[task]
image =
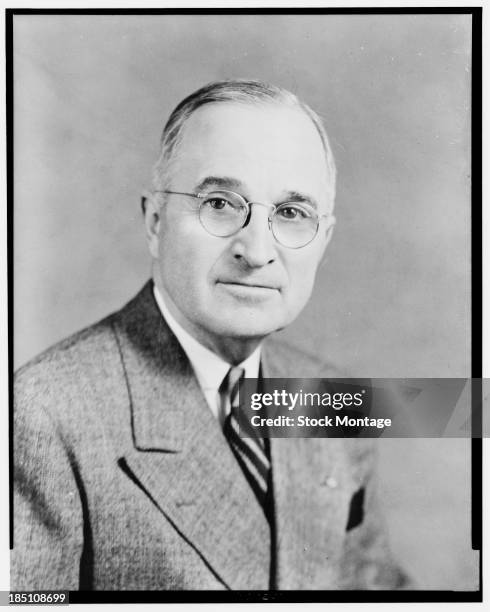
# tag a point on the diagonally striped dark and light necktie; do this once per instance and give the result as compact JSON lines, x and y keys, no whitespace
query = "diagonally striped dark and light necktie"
{"x":250,"y":452}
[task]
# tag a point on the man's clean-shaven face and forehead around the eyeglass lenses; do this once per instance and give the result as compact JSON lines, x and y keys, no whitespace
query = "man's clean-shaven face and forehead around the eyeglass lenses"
{"x":246,"y":285}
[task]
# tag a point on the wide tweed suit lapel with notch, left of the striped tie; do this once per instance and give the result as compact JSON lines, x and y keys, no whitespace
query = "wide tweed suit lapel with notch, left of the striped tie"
{"x":180,"y":456}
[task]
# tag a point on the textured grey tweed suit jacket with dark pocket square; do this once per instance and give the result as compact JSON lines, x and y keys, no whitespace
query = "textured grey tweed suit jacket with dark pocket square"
{"x":124,"y":480}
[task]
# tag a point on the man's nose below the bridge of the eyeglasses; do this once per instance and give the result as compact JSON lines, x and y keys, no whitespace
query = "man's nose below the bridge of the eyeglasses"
{"x":254,"y":243}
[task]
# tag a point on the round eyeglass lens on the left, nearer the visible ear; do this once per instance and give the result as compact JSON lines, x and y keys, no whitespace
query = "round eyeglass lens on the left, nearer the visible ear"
{"x":222,"y":213}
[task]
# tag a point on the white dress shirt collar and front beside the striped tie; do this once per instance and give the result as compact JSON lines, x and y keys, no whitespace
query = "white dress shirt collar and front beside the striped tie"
{"x":210,"y":369}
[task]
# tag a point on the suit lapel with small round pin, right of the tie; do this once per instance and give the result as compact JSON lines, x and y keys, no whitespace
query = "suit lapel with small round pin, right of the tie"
{"x":311,"y":489}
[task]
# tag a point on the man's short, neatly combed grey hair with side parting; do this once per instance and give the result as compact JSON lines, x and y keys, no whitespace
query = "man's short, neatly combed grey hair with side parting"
{"x":232,"y":90}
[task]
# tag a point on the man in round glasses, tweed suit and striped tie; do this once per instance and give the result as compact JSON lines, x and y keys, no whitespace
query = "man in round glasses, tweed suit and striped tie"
{"x":126,"y":470}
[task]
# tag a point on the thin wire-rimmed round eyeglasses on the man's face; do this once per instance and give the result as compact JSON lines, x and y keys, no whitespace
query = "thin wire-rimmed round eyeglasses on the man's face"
{"x":224,"y":213}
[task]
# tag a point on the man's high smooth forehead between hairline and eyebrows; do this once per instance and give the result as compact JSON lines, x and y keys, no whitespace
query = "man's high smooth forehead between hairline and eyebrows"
{"x":254,"y":143}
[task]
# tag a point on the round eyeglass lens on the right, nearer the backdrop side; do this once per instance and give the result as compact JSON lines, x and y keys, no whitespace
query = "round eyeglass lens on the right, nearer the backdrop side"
{"x":294,"y":225}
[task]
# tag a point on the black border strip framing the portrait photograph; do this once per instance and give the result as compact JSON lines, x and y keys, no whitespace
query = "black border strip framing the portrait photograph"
{"x":334,"y":596}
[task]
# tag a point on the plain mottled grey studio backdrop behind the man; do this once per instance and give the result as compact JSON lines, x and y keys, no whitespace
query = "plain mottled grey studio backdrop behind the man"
{"x":393,"y":297}
